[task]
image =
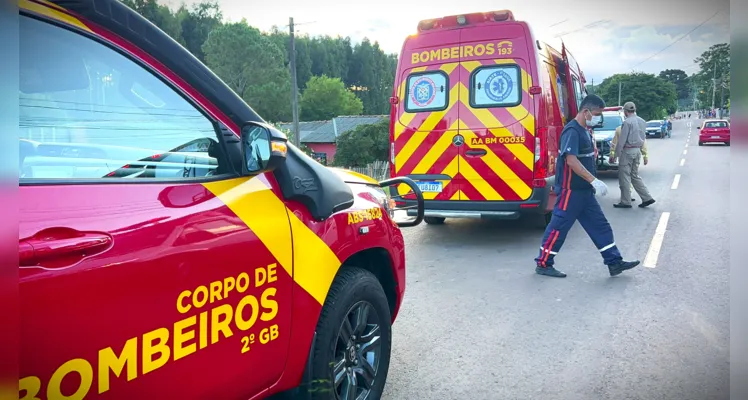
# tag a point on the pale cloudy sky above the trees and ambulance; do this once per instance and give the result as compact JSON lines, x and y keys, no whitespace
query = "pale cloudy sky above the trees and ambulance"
{"x":624,"y":36}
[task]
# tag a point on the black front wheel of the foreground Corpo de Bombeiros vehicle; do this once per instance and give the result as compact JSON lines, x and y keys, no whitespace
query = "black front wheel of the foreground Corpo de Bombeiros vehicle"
{"x":353,"y":290}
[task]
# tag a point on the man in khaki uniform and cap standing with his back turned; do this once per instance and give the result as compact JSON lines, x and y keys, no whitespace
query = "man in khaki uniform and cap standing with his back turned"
{"x":628,"y":150}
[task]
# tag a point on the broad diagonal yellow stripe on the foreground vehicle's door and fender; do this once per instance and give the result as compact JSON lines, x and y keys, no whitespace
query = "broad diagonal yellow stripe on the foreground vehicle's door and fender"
{"x":311,"y":262}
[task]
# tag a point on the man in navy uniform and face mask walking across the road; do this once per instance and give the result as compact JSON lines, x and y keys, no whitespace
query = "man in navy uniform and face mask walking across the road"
{"x":576,"y":187}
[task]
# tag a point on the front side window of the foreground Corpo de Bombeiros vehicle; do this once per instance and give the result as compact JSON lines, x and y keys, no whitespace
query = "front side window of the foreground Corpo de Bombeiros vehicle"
{"x":89,"y":112}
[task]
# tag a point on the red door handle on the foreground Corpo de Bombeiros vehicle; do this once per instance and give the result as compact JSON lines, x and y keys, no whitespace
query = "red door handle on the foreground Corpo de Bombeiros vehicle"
{"x":60,"y":247}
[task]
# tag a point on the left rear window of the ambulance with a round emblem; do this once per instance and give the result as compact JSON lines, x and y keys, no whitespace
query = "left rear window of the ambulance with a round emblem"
{"x":426,"y":92}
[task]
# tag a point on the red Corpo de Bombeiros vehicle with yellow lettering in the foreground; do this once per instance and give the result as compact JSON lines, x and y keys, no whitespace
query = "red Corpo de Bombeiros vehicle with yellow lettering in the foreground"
{"x":172,"y":245}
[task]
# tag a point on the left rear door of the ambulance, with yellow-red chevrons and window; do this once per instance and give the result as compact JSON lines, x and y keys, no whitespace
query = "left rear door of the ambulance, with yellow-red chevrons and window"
{"x":425,"y":126}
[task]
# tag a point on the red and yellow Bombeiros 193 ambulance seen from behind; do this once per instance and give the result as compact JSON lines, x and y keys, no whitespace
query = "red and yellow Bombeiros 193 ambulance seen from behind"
{"x":476,"y":116}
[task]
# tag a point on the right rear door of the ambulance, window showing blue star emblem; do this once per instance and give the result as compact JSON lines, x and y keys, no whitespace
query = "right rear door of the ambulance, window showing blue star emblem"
{"x":497,"y":113}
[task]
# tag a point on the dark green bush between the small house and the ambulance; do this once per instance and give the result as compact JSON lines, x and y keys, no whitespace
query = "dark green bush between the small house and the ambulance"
{"x":363,"y":145}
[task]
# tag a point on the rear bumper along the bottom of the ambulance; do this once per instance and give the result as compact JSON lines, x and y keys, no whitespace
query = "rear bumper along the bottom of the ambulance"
{"x":538,"y":203}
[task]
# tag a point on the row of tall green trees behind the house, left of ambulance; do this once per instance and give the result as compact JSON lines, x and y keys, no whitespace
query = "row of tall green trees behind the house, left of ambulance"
{"x":364,"y":68}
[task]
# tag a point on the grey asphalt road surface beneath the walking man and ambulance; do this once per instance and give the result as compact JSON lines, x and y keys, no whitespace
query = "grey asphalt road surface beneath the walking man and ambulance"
{"x":478,"y":323}
